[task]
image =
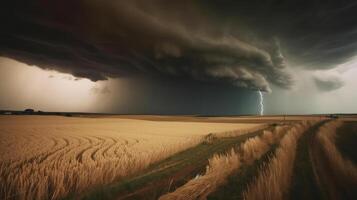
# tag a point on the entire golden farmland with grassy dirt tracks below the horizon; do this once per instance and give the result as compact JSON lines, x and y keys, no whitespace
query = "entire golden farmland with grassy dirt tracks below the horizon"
{"x":177,"y":157}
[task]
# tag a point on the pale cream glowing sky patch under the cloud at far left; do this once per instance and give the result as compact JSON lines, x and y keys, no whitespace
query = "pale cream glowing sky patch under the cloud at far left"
{"x":31,"y":87}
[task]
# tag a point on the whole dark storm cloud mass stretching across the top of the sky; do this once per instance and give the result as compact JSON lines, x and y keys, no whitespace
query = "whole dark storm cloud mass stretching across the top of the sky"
{"x":226,"y":41}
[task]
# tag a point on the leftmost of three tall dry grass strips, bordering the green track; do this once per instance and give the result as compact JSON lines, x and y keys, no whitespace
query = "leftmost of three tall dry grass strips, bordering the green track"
{"x":221,"y":166}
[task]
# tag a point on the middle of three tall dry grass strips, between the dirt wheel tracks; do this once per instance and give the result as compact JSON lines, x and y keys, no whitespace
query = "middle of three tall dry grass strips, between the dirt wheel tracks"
{"x":274,"y":179}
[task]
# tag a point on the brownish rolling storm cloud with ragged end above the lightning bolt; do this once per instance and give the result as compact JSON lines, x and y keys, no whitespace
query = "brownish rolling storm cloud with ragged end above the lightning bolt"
{"x":120,"y":38}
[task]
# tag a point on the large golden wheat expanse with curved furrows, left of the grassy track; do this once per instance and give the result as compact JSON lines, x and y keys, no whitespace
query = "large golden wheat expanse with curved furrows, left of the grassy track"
{"x":44,"y":157}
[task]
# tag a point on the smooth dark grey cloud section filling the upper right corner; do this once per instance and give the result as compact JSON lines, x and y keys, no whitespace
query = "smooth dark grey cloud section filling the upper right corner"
{"x":314,"y":34}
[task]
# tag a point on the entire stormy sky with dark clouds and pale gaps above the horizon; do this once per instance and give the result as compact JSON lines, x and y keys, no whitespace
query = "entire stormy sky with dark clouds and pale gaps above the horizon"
{"x":207,"y":57}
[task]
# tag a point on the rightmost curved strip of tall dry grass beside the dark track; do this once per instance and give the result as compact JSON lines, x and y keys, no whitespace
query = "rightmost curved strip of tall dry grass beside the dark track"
{"x":346,"y":170}
